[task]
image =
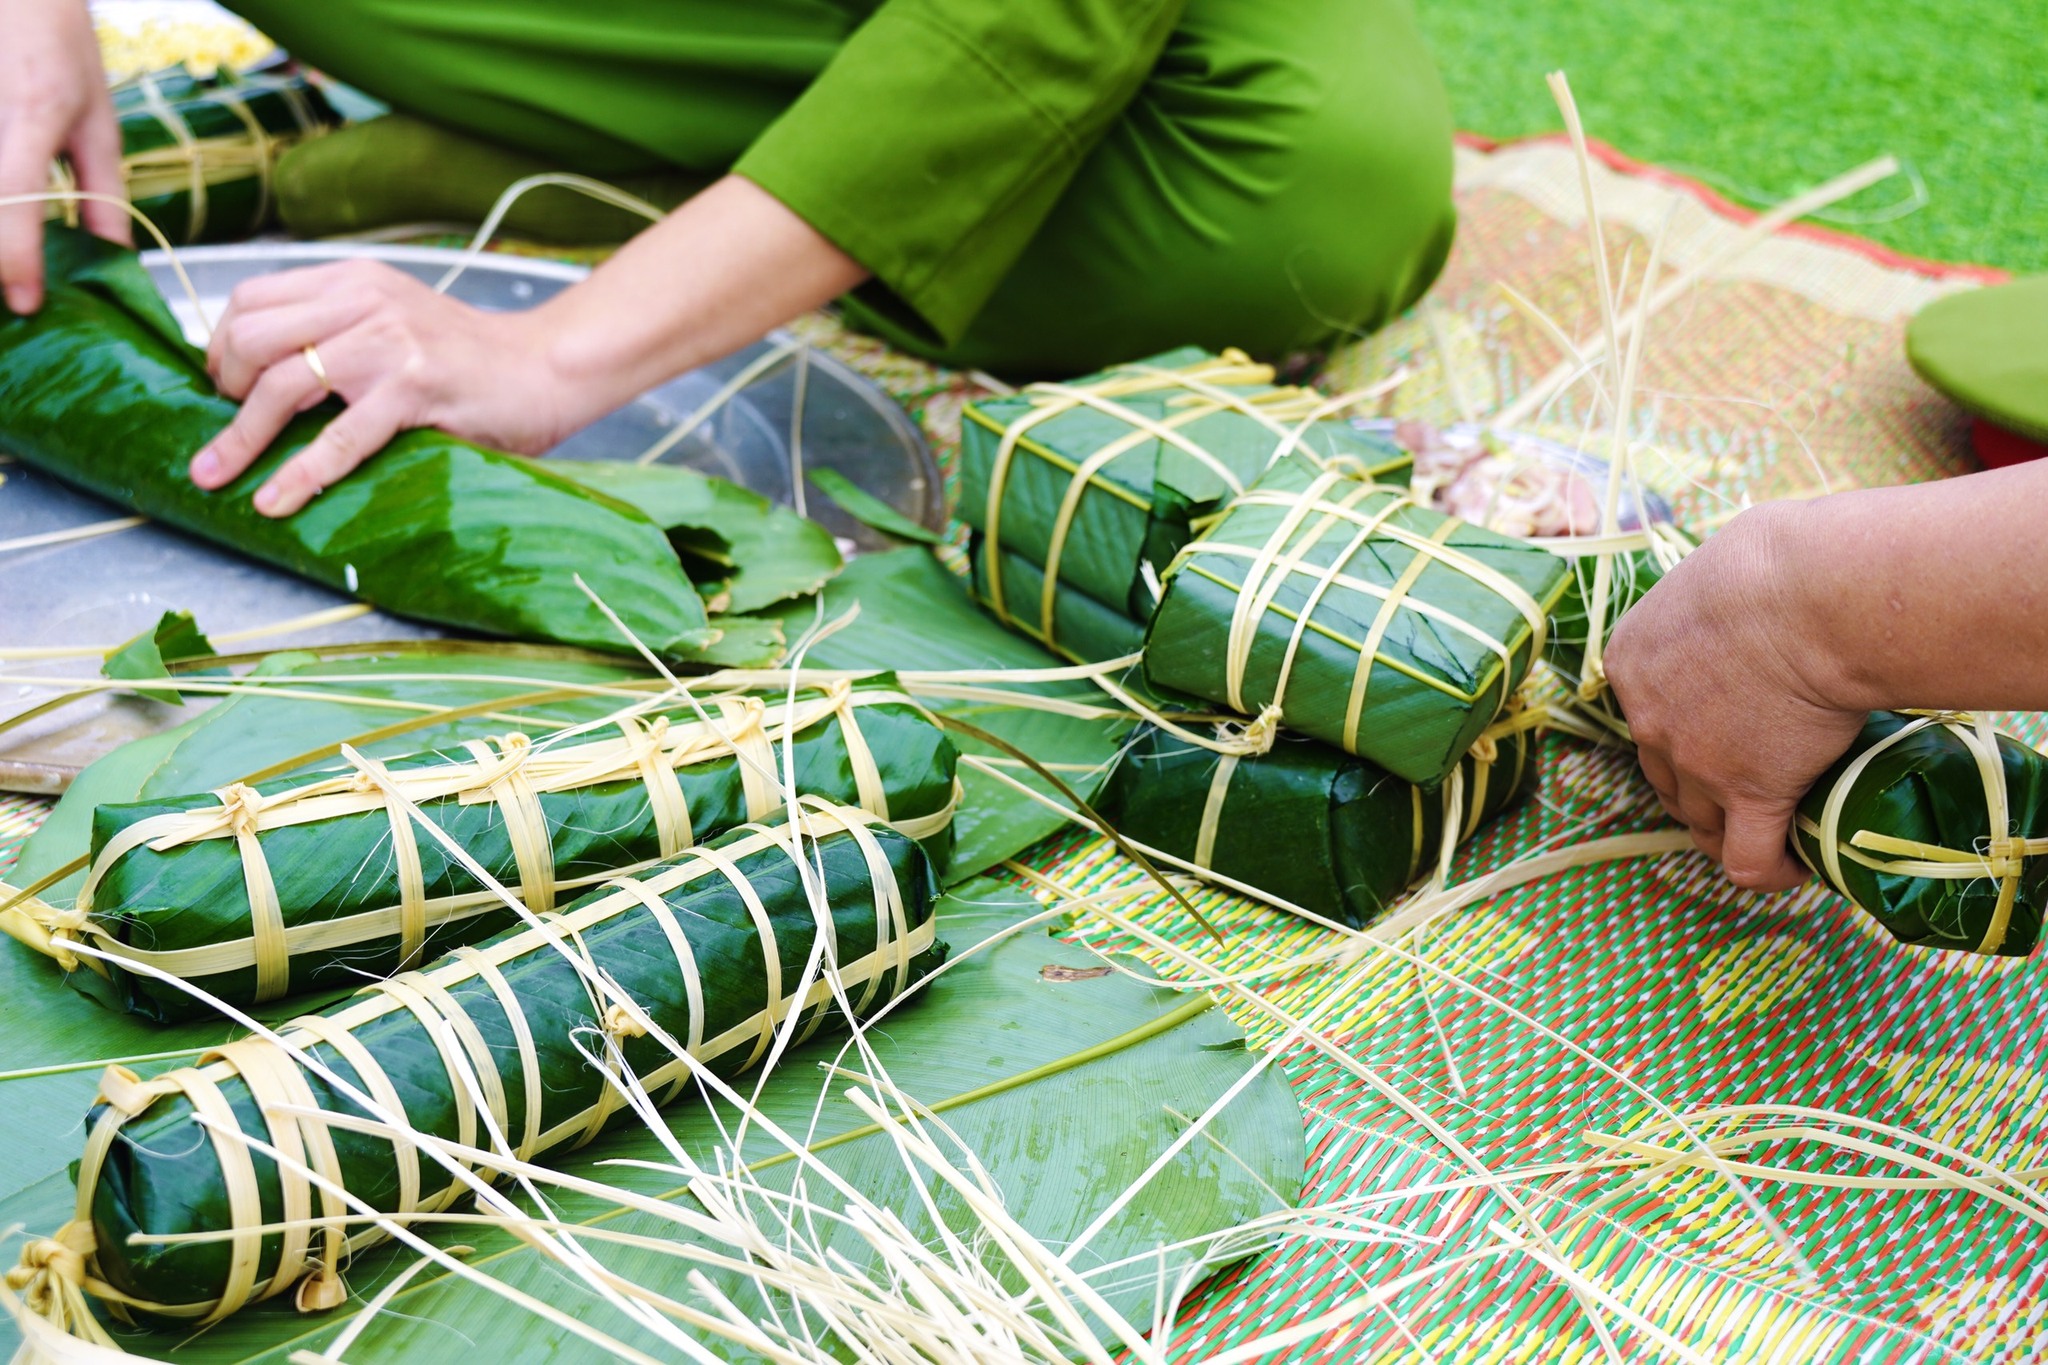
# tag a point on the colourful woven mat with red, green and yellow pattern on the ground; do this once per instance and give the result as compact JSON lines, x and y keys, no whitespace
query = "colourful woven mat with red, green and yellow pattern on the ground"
{"x":1875,"y":1102}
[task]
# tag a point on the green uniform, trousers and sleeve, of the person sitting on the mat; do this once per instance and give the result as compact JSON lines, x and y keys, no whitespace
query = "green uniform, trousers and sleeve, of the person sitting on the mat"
{"x":1039,"y":187}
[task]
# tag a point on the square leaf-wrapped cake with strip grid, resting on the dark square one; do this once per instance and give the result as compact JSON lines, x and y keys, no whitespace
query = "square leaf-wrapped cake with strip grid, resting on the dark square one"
{"x":1373,"y":623}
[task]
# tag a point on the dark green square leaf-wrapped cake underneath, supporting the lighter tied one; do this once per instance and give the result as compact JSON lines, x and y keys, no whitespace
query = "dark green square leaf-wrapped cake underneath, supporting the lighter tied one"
{"x":1308,"y":824}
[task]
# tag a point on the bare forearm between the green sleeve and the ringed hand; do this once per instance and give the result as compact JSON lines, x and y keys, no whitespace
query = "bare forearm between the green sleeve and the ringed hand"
{"x":716,"y":275}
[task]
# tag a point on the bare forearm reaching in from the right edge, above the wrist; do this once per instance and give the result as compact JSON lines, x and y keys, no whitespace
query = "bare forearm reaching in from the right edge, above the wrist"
{"x":1928,"y":597}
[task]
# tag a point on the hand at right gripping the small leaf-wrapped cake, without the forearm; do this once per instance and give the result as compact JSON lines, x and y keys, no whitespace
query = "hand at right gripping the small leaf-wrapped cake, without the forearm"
{"x":1732,"y":699}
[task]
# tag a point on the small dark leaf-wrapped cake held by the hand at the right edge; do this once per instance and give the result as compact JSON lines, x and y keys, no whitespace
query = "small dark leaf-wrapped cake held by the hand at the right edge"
{"x":1936,"y":828}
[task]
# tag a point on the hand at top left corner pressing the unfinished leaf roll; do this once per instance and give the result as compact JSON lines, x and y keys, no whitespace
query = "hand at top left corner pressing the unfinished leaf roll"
{"x":52,"y":99}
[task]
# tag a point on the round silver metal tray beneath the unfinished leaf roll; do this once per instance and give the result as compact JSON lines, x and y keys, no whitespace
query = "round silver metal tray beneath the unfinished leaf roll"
{"x":105,"y":590}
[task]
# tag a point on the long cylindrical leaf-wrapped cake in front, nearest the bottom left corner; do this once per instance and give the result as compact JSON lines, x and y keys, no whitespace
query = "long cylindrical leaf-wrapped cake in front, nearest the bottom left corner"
{"x":519,"y":1041}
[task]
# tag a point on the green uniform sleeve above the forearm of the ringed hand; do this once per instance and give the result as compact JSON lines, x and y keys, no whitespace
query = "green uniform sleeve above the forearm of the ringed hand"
{"x":943,"y":132}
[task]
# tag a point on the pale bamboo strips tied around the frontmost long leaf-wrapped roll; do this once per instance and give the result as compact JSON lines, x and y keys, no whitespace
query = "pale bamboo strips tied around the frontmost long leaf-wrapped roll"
{"x":56,"y":1274}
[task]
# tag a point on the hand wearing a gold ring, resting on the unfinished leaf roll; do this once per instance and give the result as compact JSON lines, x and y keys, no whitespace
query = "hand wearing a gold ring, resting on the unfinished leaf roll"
{"x":394,"y":351}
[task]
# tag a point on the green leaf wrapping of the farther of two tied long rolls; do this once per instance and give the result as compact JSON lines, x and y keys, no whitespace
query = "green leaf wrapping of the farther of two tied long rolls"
{"x":175,"y":906}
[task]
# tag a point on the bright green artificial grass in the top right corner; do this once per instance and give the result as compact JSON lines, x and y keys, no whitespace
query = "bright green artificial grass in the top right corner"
{"x":1766,"y":99}
